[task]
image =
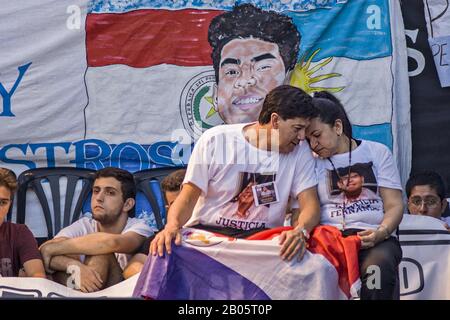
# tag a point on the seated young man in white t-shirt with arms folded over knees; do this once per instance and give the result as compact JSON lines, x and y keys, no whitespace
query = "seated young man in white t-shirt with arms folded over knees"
{"x":105,"y":242}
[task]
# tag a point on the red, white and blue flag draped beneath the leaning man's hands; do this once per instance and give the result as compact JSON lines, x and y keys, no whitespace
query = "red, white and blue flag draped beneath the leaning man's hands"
{"x":210,"y":266}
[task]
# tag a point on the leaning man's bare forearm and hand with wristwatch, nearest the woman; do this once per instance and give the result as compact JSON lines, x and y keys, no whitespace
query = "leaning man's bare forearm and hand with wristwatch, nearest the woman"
{"x":307,"y":217}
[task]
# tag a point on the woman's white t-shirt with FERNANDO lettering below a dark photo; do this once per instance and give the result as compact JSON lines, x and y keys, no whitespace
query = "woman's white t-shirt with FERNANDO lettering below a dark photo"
{"x":365,"y":212}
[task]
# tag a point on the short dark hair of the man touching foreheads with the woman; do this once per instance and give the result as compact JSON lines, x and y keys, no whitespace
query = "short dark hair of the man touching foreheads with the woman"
{"x":288,"y":102}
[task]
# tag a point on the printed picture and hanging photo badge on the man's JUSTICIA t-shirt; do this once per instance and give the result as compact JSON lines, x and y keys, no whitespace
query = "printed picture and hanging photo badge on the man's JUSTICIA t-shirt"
{"x":254,"y":194}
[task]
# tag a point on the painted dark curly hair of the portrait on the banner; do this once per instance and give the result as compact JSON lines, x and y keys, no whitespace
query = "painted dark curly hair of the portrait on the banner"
{"x":248,"y":21}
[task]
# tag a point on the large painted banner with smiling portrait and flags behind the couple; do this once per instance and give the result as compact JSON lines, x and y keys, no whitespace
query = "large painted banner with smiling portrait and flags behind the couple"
{"x":133,"y":84}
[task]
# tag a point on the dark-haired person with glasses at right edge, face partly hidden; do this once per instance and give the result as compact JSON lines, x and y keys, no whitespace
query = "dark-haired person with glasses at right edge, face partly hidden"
{"x":426,"y":196}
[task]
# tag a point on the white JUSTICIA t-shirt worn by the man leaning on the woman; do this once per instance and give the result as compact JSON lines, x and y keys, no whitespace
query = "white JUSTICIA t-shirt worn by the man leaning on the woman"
{"x":224,"y":163}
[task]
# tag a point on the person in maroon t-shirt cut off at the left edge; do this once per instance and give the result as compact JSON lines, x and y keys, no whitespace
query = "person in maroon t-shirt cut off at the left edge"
{"x":19,"y":254}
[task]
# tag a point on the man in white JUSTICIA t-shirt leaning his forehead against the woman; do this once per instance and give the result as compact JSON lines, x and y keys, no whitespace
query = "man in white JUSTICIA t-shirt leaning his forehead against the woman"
{"x":230,"y":163}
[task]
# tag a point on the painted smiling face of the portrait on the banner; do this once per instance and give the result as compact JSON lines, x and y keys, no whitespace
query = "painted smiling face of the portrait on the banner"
{"x":249,"y":69}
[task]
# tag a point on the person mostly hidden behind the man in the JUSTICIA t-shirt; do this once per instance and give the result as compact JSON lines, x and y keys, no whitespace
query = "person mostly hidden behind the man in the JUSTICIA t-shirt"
{"x":170,"y":186}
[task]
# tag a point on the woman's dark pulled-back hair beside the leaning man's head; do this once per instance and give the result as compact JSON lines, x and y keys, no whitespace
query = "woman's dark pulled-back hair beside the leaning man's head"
{"x":330,"y":109}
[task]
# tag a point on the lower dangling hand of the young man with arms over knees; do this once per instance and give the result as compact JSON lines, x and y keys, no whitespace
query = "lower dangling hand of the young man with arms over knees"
{"x":85,"y":278}
